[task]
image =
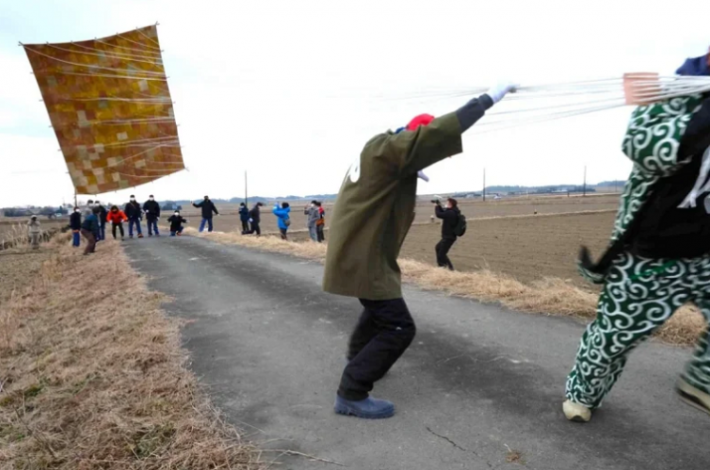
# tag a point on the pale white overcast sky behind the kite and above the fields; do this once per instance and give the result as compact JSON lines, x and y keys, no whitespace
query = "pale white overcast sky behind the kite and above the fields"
{"x":291,"y":90}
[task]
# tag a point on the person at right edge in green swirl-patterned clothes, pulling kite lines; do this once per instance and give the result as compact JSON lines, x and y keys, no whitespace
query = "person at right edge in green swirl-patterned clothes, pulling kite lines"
{"x":659,"y":256}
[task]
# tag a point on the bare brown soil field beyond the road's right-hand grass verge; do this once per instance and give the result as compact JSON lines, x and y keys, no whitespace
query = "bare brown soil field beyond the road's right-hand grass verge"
{"x":504,"y":235}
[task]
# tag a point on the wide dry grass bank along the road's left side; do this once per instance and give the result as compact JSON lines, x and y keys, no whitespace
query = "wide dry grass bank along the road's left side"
{"x":92,"y":375}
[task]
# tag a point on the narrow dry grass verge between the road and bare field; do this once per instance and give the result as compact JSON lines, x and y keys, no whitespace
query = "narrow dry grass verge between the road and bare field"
{"x":549,"y":296}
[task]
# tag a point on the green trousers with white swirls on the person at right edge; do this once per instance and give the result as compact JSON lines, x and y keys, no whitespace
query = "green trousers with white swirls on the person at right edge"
{"x":639,"y":296}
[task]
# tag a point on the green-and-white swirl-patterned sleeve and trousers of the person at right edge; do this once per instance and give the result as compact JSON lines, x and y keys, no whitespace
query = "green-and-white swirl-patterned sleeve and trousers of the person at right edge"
{"x":641,"y":294}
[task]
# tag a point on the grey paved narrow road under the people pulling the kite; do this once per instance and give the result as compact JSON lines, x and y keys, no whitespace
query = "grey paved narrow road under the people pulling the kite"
{"x":478,"y":381}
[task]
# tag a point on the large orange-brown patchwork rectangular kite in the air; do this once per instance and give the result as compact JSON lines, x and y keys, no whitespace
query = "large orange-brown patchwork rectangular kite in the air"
{"x":110,"y":107}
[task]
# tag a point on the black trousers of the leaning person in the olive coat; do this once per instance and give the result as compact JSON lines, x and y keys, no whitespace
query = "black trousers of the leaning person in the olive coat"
{"x":385,"y":330}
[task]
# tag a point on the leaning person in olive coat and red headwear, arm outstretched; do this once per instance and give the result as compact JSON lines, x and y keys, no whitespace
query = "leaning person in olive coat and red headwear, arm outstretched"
{"x":371,"y":218}
